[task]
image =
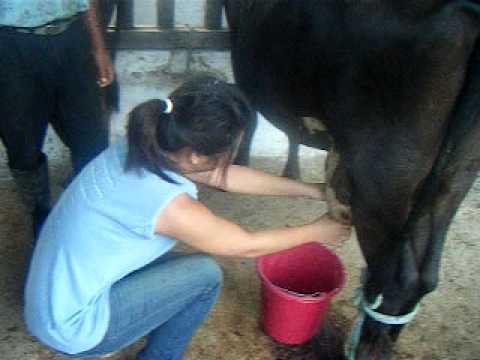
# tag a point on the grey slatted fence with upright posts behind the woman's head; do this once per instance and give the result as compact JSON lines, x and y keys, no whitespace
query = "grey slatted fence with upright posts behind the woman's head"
{"x":165,"y":35}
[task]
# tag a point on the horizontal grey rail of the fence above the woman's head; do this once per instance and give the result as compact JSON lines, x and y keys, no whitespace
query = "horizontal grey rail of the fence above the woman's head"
{"x":153,"y":38}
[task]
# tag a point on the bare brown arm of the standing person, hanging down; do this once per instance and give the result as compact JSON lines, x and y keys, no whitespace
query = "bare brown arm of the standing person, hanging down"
{"x":102,"y":58}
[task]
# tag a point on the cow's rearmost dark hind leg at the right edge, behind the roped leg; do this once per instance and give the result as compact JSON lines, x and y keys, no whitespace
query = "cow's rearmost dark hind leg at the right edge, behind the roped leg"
{"x":453,"y":175}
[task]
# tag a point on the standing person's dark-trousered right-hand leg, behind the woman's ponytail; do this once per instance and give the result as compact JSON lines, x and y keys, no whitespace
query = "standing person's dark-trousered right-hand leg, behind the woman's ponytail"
{"x":80,"y":120}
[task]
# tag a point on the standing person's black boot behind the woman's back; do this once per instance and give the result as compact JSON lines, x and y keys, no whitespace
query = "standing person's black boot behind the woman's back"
{"x":34,"y":188}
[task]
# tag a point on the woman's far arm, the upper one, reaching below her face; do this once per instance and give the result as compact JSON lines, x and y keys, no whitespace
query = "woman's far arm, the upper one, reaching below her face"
{"x":242,"y":179}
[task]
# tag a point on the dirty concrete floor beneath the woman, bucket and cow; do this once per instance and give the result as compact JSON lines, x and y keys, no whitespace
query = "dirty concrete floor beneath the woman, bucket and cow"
{"x":447,"y":327}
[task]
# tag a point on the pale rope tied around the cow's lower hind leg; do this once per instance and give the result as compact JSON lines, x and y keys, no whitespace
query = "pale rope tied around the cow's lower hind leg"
{"x":367,"y":308}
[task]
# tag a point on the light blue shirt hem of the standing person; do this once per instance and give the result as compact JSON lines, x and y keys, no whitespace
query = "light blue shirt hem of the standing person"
{"x":33,"y":13}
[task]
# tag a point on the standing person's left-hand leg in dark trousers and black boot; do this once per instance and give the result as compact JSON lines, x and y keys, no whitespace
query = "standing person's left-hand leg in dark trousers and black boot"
{"x":24,"y":104}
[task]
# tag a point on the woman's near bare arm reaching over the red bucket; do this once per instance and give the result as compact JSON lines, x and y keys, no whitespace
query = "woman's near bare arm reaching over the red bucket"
{"x":190,"y":221}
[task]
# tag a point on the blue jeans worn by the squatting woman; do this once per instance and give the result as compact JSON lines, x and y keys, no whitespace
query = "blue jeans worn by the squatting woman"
{"x":166,"y":300}
